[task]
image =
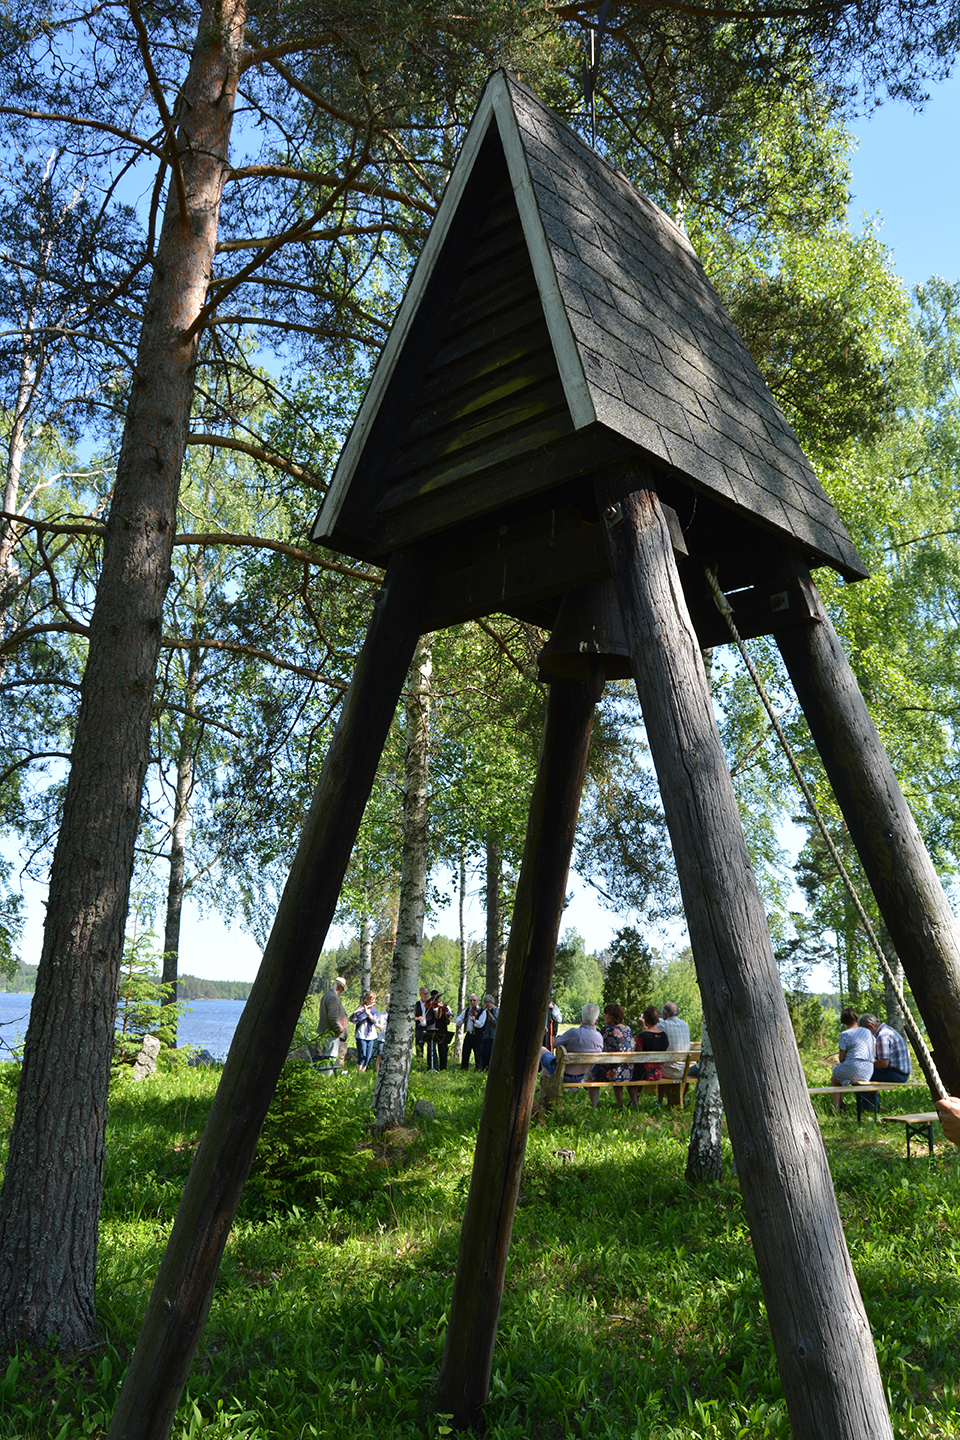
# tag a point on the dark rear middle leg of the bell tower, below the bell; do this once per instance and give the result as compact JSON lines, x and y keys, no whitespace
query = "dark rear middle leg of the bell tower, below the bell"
{"x":471,"y":1333}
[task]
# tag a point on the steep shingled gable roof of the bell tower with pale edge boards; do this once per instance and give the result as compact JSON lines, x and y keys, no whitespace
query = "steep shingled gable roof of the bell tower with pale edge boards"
{"x":638,"y":351}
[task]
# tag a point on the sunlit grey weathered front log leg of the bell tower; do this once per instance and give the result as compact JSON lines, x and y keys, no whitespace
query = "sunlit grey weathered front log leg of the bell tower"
{"x":823,"y":1340}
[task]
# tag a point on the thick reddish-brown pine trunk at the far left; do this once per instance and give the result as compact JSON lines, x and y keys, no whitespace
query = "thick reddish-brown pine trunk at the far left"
{"x":53,"y":1186}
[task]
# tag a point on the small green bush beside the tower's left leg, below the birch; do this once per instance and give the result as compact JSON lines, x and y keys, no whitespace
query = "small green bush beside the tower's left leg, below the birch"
{"x":310,"y":1147}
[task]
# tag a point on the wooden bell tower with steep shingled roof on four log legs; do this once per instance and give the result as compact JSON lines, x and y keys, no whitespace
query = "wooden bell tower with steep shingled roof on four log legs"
{"x":563,"y":402}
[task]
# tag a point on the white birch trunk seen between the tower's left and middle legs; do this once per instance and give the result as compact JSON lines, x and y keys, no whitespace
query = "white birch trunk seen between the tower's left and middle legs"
{"x":394,"y":1078}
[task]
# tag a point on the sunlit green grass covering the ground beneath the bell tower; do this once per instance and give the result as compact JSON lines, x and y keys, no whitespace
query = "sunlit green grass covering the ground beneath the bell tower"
{"x":633,"y":1308}
